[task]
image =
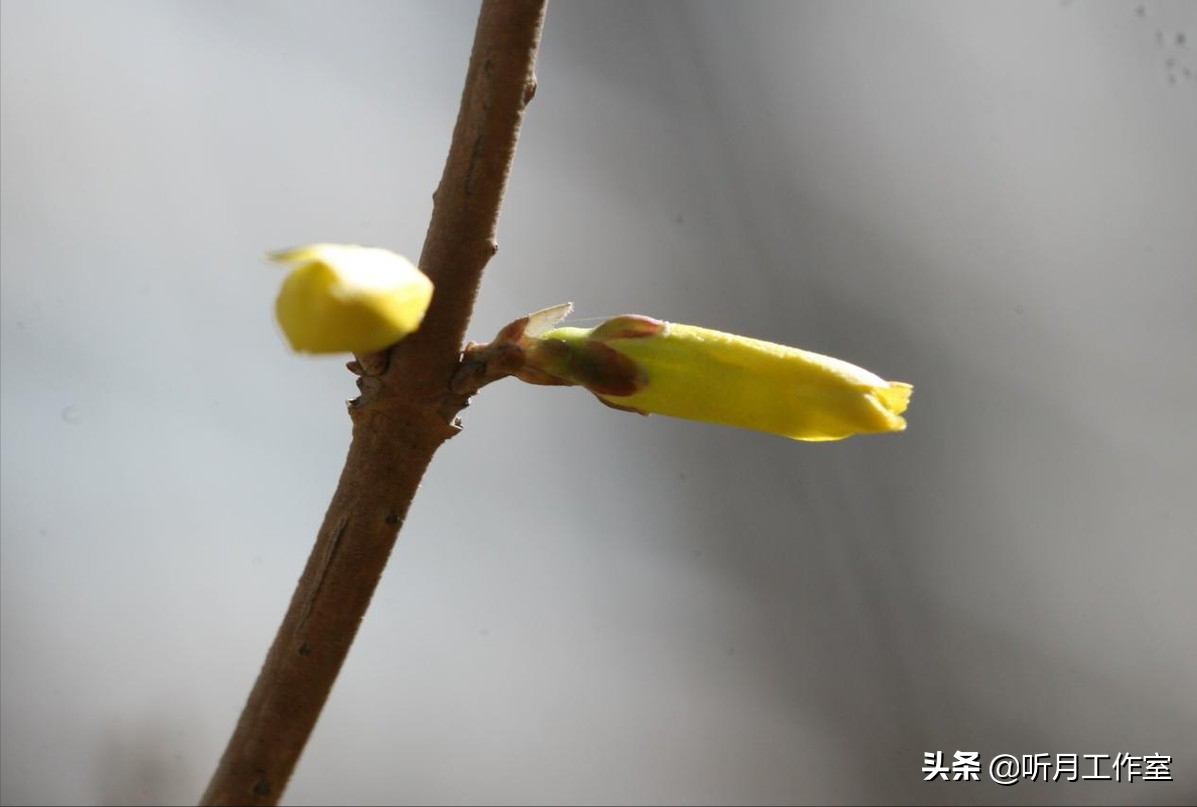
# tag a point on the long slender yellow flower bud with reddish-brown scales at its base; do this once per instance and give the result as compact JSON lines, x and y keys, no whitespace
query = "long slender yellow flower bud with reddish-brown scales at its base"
{"x":652,"y":367}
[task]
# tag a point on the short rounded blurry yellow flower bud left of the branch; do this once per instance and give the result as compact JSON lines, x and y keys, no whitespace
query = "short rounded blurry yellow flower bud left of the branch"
{"x":343,"y":299}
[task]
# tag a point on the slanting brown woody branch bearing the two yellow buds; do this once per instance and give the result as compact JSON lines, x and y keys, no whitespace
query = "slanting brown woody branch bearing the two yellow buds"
{"x":405,"y":412}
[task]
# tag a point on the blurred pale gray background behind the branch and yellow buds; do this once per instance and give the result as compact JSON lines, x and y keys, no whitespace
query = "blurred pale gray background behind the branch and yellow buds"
{"x":995,"y":202}
